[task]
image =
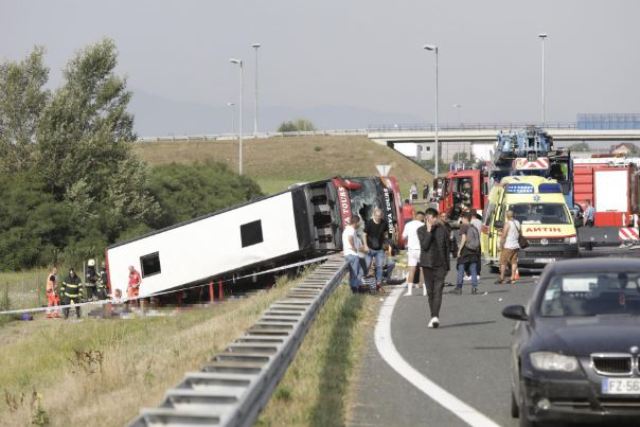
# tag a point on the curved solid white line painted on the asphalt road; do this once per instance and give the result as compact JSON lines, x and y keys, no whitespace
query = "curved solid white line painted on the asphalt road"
{"x":390,"y":354}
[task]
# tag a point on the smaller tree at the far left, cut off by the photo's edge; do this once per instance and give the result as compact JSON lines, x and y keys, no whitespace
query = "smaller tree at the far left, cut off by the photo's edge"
{"x":22,"y":99}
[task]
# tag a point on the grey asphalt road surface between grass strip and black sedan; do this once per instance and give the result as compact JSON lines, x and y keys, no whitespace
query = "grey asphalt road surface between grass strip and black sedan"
{"x":468,"y":356}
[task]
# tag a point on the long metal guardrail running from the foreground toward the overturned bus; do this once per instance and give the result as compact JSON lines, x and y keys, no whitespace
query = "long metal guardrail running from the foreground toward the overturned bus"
{"x":233,"y":387}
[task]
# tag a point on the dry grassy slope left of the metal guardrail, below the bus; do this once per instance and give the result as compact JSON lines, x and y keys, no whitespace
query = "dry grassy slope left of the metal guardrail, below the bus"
{"x":100,"y":372}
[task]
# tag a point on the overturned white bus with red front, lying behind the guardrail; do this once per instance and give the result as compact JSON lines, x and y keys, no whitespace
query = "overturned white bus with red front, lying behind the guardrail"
{"x":302,"y":222}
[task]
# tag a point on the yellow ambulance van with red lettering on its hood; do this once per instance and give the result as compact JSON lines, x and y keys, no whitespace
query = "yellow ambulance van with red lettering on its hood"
{"x":546,"y":222}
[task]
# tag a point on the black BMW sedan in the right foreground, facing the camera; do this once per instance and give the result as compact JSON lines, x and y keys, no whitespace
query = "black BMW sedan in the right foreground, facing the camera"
{"x":576,"y":349}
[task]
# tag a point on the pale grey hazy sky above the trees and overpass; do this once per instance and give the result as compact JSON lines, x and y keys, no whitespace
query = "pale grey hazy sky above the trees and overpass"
{"x":364,"y":53}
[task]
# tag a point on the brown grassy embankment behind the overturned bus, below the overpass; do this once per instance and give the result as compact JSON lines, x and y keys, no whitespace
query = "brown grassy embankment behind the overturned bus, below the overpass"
{"x":278,"y":162}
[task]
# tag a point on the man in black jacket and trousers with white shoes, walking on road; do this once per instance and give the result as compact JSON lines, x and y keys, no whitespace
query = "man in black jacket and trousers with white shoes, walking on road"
{"x":434,"y":259}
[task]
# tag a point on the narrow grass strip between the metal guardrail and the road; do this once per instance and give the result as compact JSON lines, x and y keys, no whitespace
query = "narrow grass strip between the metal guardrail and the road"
{"x":317,"y":388}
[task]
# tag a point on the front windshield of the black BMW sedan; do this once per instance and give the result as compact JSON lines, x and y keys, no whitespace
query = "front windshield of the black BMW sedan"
{"x":592,"y":294}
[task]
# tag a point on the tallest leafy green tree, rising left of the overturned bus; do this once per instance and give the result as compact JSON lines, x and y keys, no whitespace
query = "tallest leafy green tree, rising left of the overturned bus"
{"x":84,"y":145}
